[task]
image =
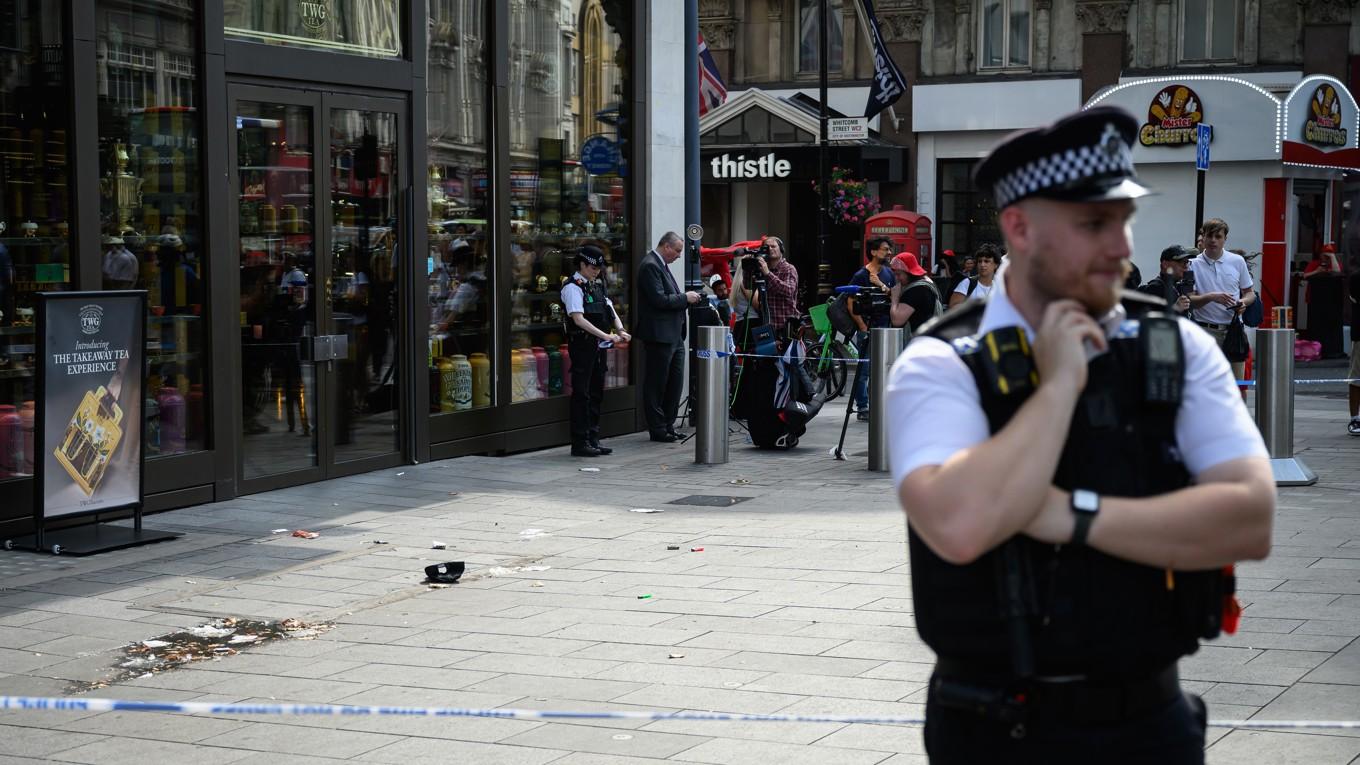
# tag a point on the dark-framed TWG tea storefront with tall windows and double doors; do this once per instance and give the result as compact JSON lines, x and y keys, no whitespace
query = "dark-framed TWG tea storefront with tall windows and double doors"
{"x":352,"y":220}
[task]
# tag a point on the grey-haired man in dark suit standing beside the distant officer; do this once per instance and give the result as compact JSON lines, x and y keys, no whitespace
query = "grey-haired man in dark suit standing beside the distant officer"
{"x":662,"y":327}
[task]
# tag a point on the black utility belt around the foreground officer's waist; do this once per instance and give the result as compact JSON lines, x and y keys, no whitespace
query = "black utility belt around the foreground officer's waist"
{"x":1072,"y":700}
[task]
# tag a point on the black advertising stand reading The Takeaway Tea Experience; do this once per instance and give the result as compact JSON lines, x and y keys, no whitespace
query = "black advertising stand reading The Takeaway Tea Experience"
{"x":89,"y":423}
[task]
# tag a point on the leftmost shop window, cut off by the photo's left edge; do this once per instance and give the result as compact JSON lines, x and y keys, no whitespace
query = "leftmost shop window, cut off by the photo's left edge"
{"x":35,"y":206}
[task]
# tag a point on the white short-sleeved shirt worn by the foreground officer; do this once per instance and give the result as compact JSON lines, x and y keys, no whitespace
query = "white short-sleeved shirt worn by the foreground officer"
{"x":936,"y":410}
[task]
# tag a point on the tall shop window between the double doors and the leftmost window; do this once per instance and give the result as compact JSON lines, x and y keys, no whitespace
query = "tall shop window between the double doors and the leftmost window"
{"x":150,"y":205}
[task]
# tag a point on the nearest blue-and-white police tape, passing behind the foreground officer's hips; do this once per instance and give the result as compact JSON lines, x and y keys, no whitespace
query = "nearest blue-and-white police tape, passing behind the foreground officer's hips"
{"x":40,"y":704}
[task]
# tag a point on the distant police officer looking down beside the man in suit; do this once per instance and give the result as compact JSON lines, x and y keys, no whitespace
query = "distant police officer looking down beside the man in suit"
{"x":592,"y":327}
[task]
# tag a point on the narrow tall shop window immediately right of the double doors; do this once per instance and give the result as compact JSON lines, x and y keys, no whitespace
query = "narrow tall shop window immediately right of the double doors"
{"x":460,"y":265}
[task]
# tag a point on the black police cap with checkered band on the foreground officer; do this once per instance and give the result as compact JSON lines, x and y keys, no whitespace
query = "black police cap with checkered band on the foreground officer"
{"x":1083,"y":157}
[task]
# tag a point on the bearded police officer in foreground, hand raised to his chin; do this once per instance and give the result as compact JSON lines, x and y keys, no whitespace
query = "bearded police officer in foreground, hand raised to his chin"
{"x":1078,"y":472}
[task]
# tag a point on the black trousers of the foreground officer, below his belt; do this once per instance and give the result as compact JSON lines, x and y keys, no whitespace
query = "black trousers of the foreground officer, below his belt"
{"x":1173,"y":736}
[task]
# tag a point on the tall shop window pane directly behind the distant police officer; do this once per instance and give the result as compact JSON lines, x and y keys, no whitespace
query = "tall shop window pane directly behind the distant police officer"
{"x":558,"y":204}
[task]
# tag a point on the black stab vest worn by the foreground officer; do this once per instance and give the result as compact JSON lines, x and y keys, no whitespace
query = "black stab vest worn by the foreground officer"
{"x":1086,"y":613}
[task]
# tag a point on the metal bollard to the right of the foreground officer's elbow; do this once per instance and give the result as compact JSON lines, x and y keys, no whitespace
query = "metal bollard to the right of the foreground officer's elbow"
{"x":1275,"y":406}
